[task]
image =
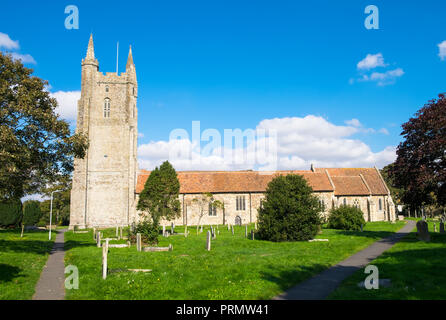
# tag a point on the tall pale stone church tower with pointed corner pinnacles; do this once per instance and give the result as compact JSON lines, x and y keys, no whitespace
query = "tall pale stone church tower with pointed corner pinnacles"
{"x":103,"y":193}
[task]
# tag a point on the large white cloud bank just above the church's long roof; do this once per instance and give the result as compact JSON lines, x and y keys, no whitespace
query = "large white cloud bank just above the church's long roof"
{"x":300,"y":142}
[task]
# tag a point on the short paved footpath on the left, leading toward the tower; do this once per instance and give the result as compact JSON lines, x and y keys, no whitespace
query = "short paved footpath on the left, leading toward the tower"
{"x":51,"y":285}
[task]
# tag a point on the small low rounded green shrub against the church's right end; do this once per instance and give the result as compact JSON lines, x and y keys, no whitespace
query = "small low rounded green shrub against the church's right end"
{"x":346,"y":218}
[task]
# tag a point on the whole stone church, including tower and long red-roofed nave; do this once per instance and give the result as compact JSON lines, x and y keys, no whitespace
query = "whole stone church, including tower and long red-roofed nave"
{"x":107,"y":182}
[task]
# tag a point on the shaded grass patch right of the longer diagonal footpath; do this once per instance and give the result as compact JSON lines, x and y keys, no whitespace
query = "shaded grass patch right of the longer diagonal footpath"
{"x":417,"y":270}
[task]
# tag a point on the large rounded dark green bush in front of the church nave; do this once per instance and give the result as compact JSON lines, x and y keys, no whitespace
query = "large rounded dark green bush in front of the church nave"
{"x":290,"y":211}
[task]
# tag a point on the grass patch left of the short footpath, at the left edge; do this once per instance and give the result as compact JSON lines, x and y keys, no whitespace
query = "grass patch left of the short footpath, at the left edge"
{"x":22,"y":261}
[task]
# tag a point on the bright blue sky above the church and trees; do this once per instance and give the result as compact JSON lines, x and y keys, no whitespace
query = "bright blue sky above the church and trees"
{"x":233,"y":64}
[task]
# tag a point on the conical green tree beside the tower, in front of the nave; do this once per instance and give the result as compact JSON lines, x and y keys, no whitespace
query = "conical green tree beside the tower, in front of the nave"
{"x":160,"y":195}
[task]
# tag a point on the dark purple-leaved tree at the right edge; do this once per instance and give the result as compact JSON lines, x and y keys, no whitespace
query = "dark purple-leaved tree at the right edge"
{"x":420,"y":167}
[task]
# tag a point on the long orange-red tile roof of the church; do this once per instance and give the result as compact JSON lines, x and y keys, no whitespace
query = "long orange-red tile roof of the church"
{"x":347,"y":181}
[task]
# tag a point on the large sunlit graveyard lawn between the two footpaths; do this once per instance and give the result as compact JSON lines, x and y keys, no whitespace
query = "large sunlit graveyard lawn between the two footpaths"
{"x":235,"y":268}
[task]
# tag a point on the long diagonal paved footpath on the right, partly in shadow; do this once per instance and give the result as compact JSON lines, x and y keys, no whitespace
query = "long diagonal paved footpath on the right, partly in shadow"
{"x":320,"y":286}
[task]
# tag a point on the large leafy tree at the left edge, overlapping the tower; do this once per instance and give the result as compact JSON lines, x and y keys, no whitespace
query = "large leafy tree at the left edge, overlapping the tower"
{"x":36,"y":147}
